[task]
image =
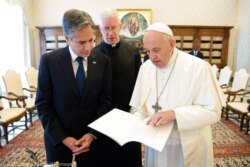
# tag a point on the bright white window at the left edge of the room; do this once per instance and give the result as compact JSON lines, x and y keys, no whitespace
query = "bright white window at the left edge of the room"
{"x":12,"y":39}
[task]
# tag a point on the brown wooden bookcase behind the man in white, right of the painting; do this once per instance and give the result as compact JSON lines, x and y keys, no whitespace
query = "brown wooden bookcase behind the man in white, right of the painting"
{"x":212,"y":41}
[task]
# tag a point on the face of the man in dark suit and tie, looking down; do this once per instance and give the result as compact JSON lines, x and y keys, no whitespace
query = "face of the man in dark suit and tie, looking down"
{"x":82,"y":41}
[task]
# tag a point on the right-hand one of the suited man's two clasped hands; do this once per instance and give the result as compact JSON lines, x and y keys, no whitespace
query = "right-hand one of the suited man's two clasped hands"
{"x":83,"y":144}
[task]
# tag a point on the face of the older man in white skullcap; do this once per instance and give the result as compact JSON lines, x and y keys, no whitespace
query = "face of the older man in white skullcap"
{"x":159,"y":48}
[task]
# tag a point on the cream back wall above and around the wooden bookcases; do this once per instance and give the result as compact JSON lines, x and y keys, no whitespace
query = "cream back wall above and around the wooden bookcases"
{"x":171,"y":12}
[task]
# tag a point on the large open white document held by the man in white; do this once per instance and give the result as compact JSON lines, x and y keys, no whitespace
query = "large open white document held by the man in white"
{"x":124,"y":127}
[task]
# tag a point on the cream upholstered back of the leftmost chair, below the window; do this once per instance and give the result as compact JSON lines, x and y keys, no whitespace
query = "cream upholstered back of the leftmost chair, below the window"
{"x":12,"y":82}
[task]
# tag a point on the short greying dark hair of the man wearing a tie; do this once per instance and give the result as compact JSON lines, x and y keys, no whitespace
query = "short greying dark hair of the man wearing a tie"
{"x":74,"y":20}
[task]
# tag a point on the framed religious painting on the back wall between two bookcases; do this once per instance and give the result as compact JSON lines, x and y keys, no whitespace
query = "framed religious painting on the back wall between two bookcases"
{"x":134,"y":22}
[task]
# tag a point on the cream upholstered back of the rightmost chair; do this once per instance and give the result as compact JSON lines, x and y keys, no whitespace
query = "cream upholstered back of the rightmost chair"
{"x":240,"y":80}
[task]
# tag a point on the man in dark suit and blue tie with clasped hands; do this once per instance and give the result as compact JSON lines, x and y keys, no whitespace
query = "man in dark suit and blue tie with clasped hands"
{"x":66,"y":108}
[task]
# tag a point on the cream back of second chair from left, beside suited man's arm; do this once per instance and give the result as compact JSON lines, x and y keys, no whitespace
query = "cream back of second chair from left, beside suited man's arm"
{"x":32,"y":76}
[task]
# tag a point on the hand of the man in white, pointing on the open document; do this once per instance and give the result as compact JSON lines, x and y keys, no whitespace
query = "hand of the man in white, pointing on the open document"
{"x":161,"y":118}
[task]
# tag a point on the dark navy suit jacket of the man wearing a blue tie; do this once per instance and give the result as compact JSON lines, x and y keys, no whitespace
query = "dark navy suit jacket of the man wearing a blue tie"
{"x":61,"y":109}
